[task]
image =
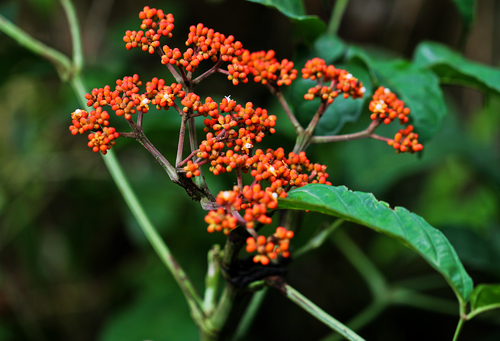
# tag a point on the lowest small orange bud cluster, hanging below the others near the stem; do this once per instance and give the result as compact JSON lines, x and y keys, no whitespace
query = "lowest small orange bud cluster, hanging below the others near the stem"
{"x":270,"y":247}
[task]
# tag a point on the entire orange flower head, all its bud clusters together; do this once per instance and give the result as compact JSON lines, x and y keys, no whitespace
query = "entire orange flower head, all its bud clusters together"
{"x":232,"y":130}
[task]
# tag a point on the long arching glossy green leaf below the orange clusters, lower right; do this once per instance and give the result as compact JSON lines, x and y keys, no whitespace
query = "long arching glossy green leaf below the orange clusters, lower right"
{"x":398,"y":223}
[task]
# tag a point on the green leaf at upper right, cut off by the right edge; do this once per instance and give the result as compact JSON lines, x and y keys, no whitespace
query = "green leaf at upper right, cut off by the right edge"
{"x":452,"y":68}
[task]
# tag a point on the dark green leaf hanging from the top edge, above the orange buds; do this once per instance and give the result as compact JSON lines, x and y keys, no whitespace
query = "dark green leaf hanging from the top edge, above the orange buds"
{"x":309,"y":26}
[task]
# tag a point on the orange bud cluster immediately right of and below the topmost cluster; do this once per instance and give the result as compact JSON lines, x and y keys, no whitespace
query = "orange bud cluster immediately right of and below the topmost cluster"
{"x":207,"y":44}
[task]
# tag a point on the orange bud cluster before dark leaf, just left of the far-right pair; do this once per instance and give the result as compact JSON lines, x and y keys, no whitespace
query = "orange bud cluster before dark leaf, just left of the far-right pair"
{"x":338,"y":81}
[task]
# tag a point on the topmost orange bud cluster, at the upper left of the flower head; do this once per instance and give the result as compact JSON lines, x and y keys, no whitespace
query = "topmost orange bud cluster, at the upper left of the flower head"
{"x":156,"y":25}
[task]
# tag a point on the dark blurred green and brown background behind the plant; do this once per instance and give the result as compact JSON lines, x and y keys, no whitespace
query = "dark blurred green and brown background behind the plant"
{"x":74,"y":264}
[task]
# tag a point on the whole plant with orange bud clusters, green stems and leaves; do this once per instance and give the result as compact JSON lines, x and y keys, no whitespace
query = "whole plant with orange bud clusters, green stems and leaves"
{"x":257,"y":217}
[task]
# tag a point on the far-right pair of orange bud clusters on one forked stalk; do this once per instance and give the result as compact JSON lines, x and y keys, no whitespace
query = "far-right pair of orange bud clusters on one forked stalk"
{"x":387,"y":107}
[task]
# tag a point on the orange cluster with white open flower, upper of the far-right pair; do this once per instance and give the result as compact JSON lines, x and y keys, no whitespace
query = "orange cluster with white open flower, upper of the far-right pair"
{"x":386,"y":106}
